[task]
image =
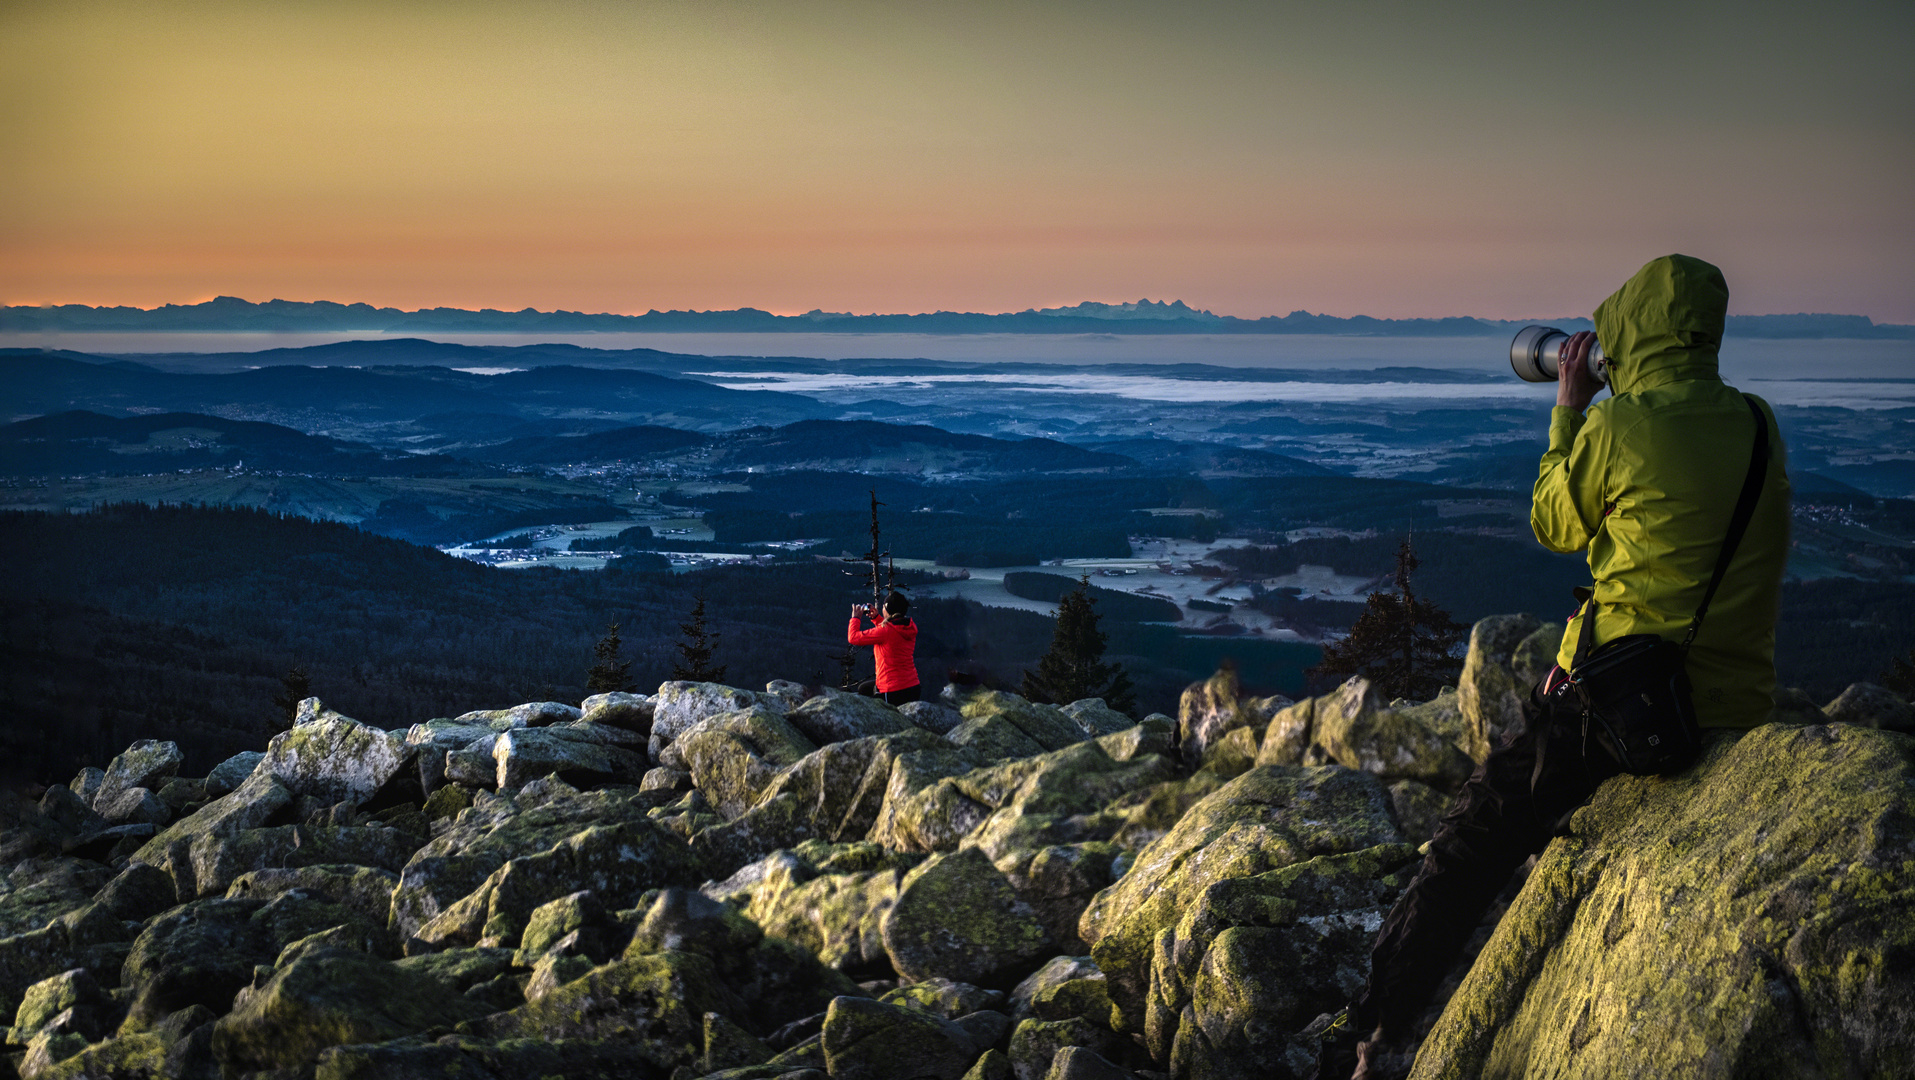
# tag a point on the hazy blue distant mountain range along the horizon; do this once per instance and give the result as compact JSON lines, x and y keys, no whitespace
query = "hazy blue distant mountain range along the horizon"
{"x":1142,"y":317}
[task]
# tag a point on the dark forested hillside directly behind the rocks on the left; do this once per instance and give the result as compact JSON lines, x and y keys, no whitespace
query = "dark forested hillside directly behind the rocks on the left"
{"x":181,"y":623}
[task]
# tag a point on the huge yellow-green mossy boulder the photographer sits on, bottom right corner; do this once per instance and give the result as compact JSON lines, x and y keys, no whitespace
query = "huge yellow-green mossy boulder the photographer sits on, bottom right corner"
{"x":1755,"y":907}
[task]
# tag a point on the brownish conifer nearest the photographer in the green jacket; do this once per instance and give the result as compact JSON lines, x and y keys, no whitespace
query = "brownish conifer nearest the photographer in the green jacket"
{"x":1403,"y":644}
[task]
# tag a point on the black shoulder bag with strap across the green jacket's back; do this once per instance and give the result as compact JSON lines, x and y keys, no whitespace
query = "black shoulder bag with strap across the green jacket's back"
{"x":1636,"y":690}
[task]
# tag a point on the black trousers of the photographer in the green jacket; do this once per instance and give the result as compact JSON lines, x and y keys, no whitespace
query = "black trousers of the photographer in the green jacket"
{"x":1508,"y":811}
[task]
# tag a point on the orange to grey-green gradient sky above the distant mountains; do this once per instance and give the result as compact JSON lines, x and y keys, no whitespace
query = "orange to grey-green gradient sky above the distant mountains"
{"x":1378,"y":158}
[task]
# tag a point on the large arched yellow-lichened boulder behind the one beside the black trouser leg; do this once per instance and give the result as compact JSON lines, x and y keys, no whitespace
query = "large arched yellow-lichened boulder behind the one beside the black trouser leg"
{"x":1267,"y":819}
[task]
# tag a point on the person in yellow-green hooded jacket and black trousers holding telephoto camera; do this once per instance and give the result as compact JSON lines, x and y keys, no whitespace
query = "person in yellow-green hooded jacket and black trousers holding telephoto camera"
{"x":1646,"y":482}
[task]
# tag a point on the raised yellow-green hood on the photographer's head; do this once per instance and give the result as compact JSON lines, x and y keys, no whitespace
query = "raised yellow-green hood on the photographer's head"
{"x":1665,"y":325}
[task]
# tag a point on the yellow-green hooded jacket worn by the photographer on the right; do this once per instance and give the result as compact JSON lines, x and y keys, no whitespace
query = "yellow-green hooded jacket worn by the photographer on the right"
{"x":1648,"y":484}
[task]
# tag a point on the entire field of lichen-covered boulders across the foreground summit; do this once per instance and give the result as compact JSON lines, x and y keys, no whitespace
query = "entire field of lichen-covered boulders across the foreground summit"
{"x":798,"y":884}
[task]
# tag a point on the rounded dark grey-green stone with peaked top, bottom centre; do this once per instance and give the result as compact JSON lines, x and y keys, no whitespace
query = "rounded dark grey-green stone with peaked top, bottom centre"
{"x":957,"y":916}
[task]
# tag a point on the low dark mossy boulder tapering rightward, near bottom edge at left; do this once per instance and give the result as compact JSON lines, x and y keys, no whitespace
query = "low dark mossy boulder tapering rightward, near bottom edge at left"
{"x":332,"y":997}
